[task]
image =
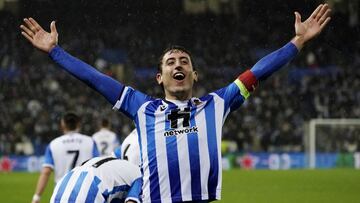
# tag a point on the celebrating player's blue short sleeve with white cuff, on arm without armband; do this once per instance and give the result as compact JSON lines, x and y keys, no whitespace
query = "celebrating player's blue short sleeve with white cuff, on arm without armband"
{"x":130,"y":101}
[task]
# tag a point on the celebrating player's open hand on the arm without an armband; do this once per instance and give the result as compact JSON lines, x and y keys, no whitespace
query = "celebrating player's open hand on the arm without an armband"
{"x":38,"y":37}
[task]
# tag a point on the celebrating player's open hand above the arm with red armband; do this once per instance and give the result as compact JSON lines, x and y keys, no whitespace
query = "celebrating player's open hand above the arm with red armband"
{"x":312,"y":26}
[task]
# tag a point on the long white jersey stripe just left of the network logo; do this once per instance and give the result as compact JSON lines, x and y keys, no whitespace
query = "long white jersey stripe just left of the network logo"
{"x":161,"y":157}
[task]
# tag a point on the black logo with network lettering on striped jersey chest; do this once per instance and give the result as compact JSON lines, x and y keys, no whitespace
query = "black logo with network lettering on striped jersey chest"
{"x":179,"y":122}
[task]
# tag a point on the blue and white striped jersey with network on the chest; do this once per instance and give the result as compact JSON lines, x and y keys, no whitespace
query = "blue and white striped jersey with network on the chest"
{"x":180,"y":142}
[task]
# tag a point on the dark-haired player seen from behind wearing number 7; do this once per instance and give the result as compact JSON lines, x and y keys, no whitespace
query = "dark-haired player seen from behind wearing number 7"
{"x":65,"y":152}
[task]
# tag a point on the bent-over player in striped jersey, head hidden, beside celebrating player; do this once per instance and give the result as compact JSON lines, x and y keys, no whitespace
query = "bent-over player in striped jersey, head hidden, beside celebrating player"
{"x":101,"y":179}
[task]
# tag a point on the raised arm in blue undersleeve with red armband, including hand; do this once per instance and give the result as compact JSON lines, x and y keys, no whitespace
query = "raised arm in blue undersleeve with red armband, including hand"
{"x":304,"y":31}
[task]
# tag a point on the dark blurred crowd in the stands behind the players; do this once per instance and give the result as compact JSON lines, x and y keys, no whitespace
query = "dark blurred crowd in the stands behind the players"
{"x":322,"y":82}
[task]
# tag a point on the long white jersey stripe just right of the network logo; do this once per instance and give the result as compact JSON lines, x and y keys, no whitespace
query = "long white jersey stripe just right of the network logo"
{"x":203,"y":153}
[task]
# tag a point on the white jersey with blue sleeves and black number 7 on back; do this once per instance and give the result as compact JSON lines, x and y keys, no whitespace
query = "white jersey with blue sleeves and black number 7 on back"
{"x":68,"y":151}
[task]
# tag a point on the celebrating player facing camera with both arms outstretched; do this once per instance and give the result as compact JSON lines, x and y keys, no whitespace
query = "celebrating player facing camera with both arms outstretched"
{"x":179,"y":136}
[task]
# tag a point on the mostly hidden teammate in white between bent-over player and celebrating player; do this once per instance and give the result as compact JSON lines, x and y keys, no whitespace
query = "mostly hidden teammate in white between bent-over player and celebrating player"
{"x":129,"y":149}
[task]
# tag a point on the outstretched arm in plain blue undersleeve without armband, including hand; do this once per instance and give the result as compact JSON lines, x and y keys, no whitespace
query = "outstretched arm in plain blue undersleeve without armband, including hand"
{"x":47,"y":42}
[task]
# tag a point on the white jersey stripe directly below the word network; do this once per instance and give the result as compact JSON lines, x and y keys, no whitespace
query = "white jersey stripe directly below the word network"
{"x":184,"y":165}
